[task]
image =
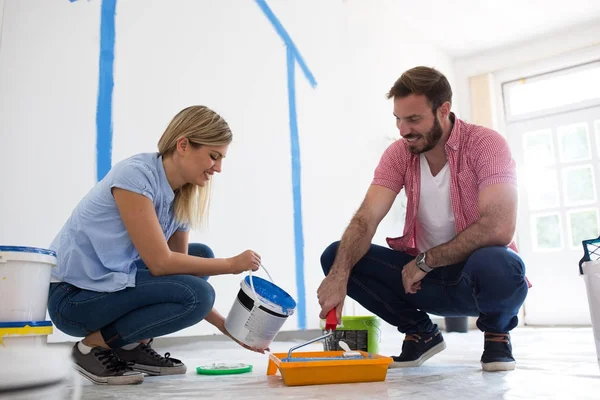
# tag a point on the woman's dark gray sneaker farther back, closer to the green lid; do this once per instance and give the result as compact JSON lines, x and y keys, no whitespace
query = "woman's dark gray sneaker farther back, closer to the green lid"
{"x":144,"y":359}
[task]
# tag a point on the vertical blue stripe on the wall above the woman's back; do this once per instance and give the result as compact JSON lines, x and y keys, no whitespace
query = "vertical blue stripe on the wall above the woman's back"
{"x":104,"y":133}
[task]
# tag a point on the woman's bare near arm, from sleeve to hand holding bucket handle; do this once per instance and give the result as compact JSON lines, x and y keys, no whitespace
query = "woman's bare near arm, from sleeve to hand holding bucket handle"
{"x":141,"y":222}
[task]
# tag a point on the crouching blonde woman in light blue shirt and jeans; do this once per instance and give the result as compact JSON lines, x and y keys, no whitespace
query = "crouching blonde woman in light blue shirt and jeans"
{"x":125,"y":272}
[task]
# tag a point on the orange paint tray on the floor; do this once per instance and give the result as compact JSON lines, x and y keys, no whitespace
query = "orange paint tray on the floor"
{"x":372,"y":368}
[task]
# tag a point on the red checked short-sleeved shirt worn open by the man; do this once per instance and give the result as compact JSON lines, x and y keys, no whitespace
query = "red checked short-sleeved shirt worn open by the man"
{"x":477,"y":157}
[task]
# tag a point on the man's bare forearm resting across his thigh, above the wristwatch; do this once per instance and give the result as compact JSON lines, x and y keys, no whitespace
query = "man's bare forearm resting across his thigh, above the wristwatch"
{"x":478,"y":235}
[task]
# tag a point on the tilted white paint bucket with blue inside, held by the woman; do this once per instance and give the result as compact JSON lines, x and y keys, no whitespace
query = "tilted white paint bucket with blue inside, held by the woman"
{"x":258,"y":312}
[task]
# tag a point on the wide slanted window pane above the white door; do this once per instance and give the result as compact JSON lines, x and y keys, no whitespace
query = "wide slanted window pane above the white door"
{"x":535,"y":94}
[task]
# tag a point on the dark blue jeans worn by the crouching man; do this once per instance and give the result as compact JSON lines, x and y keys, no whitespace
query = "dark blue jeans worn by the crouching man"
{"x":490,"y":285}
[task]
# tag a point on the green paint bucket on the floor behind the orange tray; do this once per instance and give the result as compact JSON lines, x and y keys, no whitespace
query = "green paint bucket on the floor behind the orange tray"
{"x":359,"y":332}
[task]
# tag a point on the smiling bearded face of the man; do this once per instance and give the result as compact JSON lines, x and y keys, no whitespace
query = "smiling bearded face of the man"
{"x":417,"y":123}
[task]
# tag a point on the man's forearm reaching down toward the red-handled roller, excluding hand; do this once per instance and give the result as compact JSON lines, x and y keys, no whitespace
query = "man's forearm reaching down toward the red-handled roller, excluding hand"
{"x":353,"y":246}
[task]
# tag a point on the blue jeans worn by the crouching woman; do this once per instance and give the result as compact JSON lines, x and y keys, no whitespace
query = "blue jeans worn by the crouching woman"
{"x":156,"y":306}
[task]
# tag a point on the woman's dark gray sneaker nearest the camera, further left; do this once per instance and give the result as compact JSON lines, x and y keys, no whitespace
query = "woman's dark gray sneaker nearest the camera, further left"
{"x":103,"y":367}
